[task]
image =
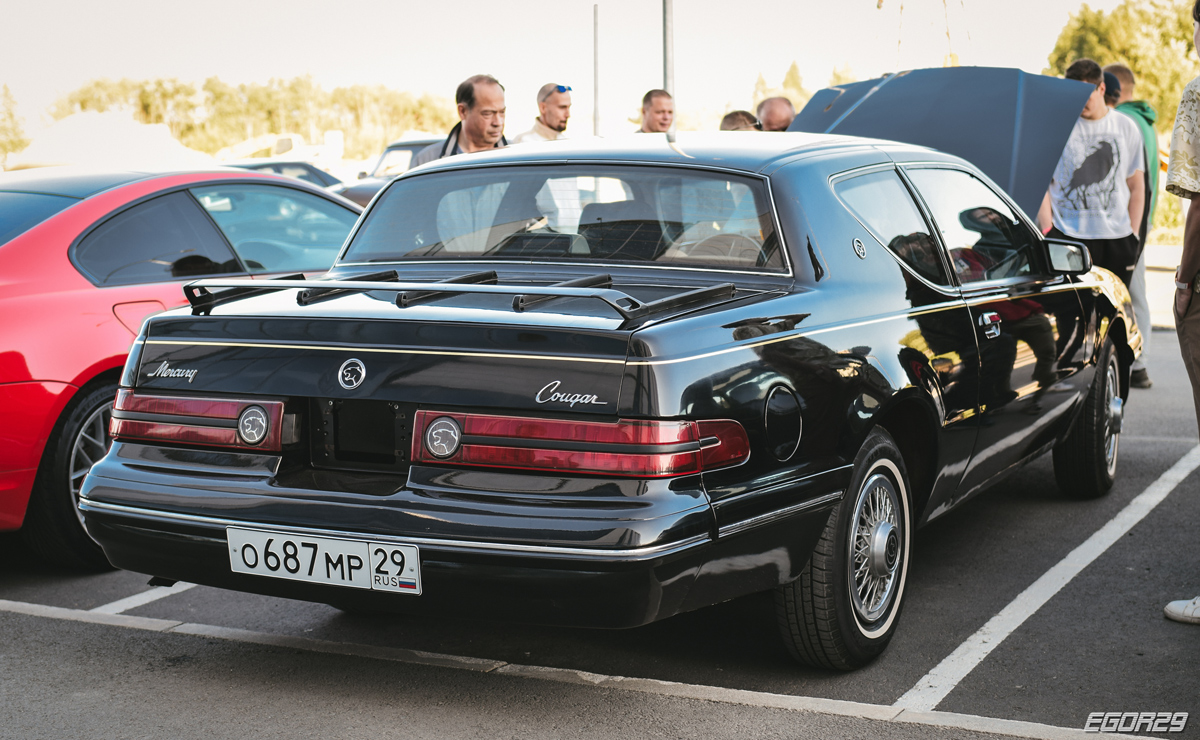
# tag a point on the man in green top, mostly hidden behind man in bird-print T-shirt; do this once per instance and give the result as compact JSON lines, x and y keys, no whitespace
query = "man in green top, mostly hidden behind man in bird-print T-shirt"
{"x":1145,"y":117}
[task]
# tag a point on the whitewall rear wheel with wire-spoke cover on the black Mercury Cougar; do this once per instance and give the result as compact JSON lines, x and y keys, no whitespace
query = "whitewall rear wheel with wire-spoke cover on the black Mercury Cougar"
{"x":843,"y":610}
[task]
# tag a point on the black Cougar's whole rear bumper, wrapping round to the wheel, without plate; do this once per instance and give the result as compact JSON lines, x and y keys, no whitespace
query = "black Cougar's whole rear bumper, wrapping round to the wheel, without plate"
{"x":586,"y":554}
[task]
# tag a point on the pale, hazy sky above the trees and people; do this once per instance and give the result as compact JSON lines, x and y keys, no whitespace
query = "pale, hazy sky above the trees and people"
{"x":53,"y":47}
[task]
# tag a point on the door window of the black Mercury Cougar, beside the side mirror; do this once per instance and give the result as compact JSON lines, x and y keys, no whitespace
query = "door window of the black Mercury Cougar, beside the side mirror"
{"x":985,"y":237}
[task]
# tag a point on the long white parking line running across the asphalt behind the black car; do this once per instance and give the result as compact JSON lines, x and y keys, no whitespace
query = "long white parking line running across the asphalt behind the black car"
{"x":1013,"y":729}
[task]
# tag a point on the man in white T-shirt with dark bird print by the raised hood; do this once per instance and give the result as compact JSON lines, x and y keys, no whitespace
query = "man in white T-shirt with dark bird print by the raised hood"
{"x":1099,"y":191}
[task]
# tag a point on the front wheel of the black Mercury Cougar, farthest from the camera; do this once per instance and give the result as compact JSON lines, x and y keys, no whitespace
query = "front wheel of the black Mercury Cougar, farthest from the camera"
{"x":1085,"y":464}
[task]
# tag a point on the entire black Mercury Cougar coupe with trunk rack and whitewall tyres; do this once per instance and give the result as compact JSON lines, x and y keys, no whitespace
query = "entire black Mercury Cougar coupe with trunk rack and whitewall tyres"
{"x":607,"y":382}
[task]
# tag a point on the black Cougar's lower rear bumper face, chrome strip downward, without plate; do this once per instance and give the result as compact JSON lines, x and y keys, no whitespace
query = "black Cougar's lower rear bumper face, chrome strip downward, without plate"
{"x":532,"y":585}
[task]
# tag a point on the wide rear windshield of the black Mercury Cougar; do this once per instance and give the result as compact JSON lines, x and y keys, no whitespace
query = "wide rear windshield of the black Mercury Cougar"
{"x":583,"y":214}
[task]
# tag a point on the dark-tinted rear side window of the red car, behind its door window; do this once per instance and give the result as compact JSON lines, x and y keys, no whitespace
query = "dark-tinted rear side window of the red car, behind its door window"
{"x":161,"y":240}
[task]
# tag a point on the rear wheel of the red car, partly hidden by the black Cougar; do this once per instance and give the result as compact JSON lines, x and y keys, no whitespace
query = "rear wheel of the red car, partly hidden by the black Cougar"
{"x":53,"y":527}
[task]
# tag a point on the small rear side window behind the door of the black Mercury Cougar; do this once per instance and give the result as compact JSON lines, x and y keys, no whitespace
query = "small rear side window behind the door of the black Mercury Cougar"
{"x":884,"y":204}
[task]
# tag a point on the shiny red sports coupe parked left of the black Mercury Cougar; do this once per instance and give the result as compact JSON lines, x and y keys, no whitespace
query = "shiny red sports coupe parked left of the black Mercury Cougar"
{"x":85,"y":257}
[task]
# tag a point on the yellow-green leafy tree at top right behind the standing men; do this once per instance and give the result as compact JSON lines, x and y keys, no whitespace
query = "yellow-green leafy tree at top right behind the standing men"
{"x":1153,"y":38}
